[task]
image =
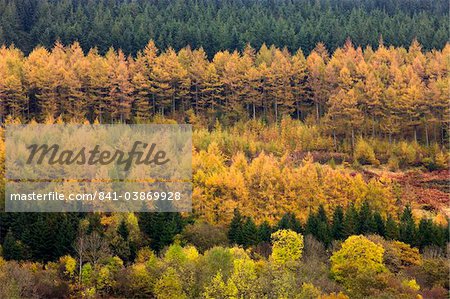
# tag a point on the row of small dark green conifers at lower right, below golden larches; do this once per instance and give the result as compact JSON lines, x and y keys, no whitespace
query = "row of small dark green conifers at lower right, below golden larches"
{"x":342,"y":224}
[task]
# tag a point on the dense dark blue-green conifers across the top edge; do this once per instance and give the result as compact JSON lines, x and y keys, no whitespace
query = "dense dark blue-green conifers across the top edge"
{"x":219,"y":25}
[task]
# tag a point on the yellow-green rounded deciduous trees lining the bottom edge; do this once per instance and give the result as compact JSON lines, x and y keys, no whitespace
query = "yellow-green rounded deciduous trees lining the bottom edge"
{"x":295,"y":267}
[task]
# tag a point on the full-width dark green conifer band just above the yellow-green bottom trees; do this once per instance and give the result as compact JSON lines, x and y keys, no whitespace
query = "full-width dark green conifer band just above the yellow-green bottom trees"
{"x":33,"y":237}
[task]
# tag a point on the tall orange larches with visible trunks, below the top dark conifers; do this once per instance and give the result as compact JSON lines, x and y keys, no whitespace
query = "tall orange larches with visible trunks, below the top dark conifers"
{"x":389,"y":93}
